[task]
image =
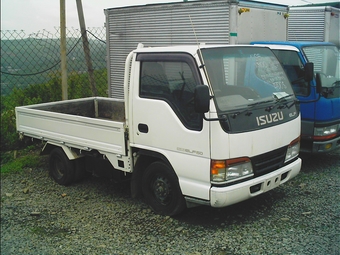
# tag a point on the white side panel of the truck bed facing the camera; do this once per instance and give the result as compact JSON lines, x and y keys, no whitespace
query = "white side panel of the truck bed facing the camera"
{"x":75,"y":131}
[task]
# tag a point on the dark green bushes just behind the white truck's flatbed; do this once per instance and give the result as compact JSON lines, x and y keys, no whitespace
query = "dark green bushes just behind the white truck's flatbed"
{"x":79,"y":87}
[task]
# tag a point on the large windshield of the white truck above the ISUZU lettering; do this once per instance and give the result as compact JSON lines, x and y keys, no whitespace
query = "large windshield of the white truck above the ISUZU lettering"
{"x":245,"y":76}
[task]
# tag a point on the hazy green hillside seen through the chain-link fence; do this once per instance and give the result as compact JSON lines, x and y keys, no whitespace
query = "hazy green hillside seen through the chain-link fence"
{"x":32,"y":60}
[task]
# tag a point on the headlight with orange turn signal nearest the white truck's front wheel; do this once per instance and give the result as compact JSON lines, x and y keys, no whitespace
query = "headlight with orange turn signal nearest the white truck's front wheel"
{"x":230,"y":170}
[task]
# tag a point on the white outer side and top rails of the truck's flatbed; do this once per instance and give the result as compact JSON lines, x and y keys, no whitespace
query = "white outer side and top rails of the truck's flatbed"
{"x":84,"y":133}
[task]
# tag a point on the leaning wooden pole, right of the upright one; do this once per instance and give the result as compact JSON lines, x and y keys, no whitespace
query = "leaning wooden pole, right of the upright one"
{"x":86,"y":47}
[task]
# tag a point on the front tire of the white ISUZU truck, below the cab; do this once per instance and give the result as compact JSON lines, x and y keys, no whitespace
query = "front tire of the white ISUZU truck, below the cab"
{"x":161,"y":189}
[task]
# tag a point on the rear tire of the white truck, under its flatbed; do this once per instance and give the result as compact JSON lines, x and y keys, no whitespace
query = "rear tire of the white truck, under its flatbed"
{"x":61,"y":168}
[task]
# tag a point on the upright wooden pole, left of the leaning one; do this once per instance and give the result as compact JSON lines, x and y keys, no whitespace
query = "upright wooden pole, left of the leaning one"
{"x":63,"y":50}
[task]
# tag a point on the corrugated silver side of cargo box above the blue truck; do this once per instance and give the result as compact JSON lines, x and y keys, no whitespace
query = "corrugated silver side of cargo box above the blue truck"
{"x":306,"y":24}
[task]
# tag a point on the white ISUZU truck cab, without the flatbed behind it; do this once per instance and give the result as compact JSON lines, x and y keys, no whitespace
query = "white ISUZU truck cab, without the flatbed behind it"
{"x":195,"y":109}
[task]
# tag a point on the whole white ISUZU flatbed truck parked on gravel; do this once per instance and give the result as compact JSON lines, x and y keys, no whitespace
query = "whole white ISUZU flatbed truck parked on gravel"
{"x":210,"y":125}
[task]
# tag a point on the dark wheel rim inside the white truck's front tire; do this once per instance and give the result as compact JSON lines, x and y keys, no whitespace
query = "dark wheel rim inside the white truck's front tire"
{"x":161,"y":189}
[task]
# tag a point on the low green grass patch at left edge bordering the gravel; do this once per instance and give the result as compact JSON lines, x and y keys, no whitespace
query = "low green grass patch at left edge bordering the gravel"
{"x":16,"y":161}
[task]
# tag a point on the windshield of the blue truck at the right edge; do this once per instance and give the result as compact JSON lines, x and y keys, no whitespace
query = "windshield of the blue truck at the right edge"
{"x":326,"y":61}
